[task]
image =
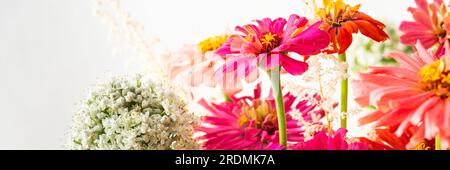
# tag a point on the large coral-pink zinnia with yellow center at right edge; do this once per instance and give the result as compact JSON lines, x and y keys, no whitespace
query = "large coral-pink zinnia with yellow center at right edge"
{"x":416,"y":94}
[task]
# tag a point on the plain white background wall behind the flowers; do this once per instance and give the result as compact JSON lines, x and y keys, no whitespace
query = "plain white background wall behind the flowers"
{"x":53,"y":51}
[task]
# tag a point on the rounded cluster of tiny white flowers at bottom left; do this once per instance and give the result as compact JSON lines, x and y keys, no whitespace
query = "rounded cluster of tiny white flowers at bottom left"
{"x":132,"y":114}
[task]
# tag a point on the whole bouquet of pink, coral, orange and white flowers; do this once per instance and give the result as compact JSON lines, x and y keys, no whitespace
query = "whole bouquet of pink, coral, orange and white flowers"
{"x":284,"y":83}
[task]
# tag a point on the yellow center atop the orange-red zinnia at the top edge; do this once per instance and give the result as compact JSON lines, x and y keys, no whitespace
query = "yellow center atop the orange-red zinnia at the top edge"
{"x":334,"y":12}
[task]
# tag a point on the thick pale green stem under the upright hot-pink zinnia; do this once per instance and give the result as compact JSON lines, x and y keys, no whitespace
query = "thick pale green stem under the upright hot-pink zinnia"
{"x":274,"y":75}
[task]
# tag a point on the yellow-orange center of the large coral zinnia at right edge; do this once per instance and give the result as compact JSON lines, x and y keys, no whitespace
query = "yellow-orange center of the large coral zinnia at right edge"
{"x":436,"y":78}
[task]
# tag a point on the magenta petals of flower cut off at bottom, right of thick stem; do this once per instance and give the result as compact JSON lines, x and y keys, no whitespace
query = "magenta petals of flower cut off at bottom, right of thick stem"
{"x":337,"y":141}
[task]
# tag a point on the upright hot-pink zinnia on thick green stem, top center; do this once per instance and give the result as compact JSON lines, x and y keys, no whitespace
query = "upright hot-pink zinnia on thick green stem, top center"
{"x":268,"y":44}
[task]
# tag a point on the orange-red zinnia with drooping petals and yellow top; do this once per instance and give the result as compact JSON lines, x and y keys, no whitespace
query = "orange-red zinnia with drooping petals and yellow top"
{"x":341,"y":20}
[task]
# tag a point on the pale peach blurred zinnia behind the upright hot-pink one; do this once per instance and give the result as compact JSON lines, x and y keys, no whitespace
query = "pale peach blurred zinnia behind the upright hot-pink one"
{"x":195,"y":65}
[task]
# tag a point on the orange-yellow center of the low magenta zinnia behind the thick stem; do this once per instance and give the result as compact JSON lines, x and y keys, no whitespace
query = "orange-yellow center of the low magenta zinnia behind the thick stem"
{"x":260,"y":116}
